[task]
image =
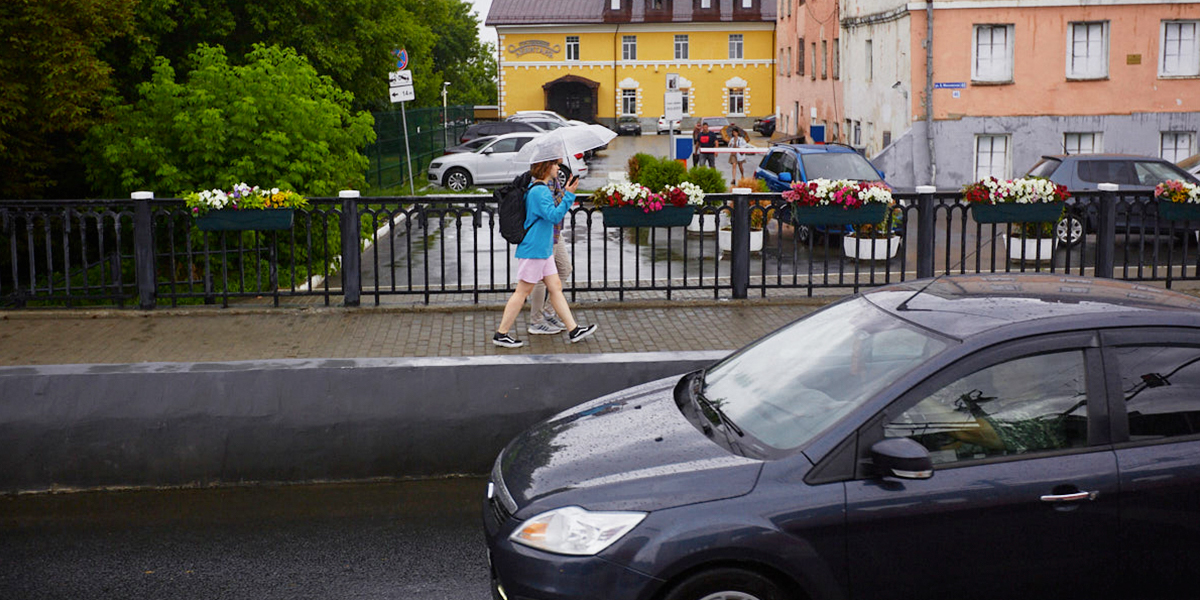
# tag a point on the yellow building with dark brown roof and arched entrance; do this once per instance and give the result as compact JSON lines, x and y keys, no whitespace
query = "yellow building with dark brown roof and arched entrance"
{"x":596,"y":61}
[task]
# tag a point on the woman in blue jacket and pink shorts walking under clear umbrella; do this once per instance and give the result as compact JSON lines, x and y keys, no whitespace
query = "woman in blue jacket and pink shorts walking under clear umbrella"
{"x":535,"y":256}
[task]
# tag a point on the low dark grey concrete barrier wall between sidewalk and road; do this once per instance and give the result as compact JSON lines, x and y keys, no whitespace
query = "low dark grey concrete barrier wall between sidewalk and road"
{"x":81,"y":427}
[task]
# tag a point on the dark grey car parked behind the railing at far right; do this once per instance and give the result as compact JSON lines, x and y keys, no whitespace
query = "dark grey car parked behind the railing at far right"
{"x":1087,"y":172}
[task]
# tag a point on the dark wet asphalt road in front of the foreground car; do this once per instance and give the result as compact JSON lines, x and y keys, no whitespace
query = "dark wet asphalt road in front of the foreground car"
{"x":385,"y":541}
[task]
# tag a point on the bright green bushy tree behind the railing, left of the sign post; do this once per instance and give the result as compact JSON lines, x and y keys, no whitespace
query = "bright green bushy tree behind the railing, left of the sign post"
{"x":273,"y":122}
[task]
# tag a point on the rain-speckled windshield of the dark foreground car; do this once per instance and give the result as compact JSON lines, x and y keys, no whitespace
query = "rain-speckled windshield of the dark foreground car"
{"x":791,"y":386}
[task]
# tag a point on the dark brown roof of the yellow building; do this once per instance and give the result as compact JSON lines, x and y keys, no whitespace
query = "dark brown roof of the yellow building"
{"x":539,"y":13}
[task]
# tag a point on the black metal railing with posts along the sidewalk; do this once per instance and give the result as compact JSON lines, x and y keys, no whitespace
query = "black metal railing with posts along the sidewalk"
{"x":147,"y":253}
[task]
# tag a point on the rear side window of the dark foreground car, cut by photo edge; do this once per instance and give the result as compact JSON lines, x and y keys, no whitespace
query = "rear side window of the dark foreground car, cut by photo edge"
{"x":1161,"y":387}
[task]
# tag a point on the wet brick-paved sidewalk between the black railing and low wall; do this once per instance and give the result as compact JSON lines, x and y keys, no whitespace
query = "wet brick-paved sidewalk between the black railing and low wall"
{"x":236,"y":334}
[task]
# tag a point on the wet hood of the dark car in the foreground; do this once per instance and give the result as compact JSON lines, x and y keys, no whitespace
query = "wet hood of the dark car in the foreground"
{"x":631,"y":451}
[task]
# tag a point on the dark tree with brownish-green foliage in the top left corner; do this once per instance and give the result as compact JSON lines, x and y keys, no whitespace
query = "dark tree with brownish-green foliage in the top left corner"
{"x":52,"y":87}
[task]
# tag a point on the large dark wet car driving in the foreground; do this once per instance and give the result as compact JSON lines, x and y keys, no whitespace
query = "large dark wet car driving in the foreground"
{"x":993,"y":436}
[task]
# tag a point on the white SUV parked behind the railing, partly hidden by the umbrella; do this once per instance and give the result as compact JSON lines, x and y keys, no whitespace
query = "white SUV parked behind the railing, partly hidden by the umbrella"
{"x":493,"y":165}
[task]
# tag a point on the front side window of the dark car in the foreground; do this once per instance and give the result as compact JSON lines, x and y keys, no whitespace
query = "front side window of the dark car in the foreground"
{"x":1017,"y":407}
